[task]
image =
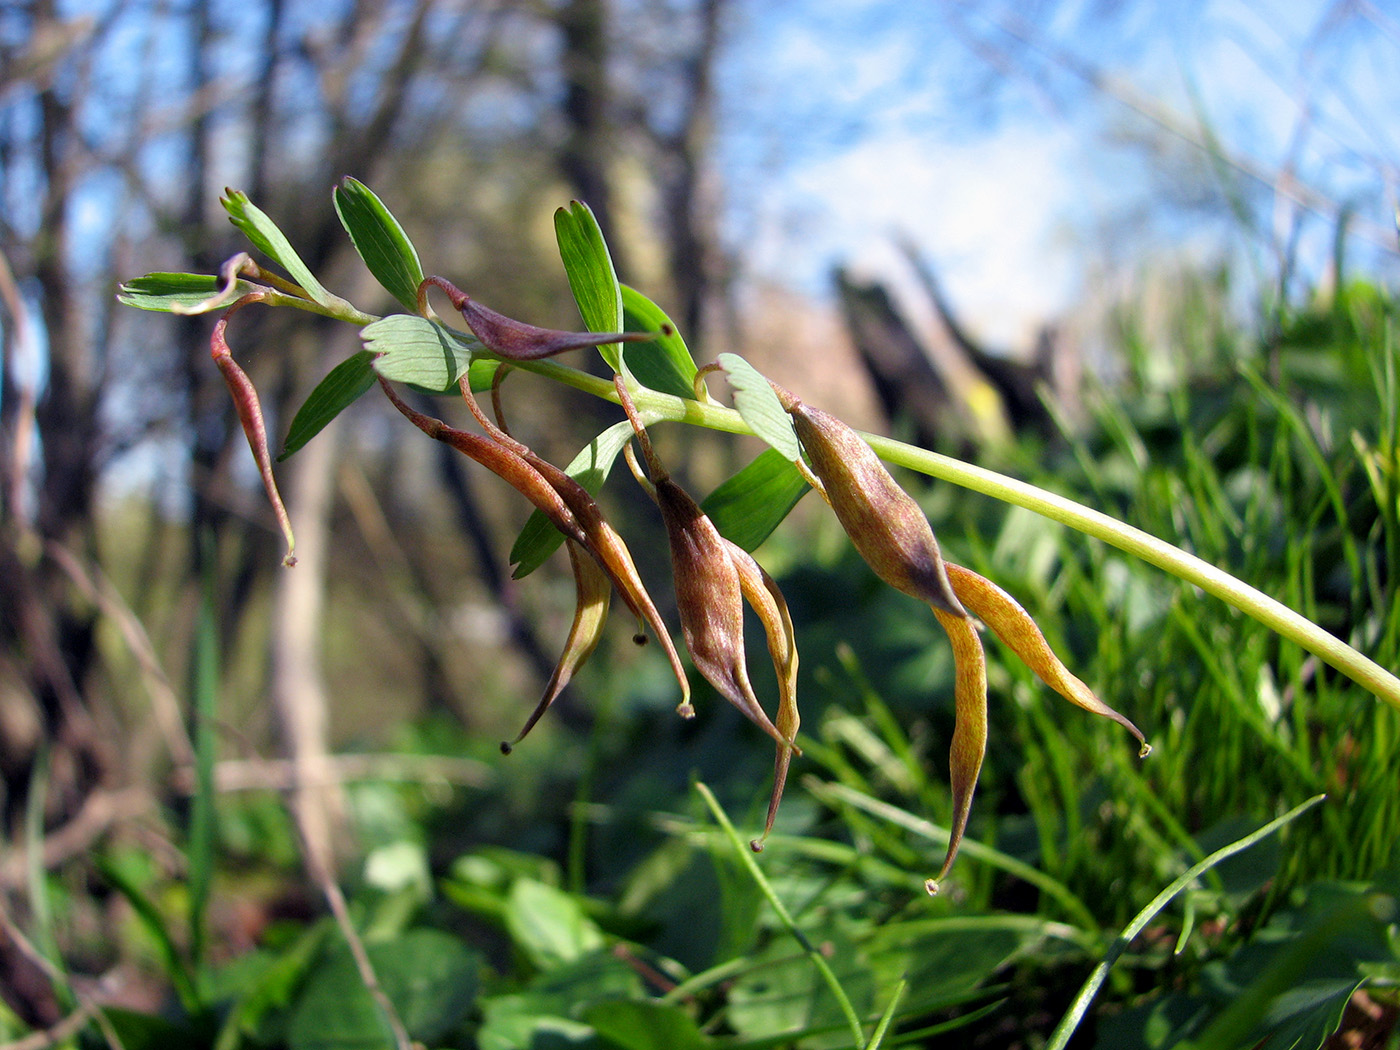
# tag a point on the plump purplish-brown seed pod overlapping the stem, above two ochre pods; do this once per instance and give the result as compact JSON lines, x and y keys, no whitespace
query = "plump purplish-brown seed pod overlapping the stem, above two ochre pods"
{"x":883,"y":520}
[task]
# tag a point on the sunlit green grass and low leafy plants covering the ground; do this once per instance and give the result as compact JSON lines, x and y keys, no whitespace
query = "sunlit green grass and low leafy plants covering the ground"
{"x":596,"y":890}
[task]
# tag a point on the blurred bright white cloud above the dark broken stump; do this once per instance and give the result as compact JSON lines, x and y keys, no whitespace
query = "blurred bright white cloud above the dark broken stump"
{"x":985,"y":213}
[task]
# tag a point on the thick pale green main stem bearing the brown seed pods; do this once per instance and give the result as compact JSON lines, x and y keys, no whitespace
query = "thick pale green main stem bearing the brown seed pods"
{"x":1091,"y":523}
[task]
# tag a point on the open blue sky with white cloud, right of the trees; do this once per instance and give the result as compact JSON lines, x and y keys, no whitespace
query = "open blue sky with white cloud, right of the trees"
{"x":856,"y":120}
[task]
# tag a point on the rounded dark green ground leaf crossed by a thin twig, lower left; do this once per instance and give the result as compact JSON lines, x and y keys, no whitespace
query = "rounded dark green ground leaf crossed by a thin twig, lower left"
{"x":428,"y":975}
